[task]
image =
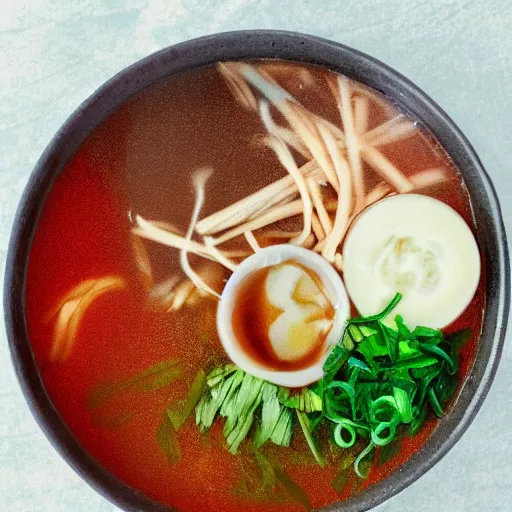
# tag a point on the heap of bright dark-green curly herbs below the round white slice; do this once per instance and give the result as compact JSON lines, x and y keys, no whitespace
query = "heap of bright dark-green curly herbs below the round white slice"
{"x":386,"y":382}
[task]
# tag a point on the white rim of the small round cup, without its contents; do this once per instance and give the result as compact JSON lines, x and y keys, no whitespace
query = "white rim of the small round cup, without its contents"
{"x":334,"y":289}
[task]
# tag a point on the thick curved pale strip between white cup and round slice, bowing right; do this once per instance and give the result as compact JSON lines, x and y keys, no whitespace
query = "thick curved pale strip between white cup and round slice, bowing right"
{"x":344,"y":207}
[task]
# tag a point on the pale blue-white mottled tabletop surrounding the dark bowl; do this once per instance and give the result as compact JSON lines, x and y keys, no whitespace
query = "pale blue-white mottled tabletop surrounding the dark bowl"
{"x":54,"y":53}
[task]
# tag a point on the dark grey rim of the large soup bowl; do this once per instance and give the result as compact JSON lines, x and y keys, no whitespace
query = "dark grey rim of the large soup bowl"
{"x":239,"y":45}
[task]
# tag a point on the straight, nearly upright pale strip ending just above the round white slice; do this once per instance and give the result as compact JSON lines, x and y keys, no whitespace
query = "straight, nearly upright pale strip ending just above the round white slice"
{"x":354,"y":158}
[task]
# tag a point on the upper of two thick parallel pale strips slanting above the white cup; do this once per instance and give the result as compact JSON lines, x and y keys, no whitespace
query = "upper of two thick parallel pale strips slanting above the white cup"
{"x":261,"y":199}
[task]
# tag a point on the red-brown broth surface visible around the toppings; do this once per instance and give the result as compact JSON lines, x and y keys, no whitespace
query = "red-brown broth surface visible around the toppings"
{"x":139,"y":161}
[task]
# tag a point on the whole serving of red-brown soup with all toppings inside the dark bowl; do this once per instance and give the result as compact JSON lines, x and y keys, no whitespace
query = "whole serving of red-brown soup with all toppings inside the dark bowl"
{"x":155,"y":216}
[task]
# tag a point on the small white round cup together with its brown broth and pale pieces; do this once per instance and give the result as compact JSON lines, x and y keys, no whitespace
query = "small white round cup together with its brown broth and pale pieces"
{"x":280,"y":312}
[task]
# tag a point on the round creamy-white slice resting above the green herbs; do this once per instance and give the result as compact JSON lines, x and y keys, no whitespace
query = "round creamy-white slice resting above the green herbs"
{"x":418,"y":246}
